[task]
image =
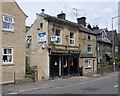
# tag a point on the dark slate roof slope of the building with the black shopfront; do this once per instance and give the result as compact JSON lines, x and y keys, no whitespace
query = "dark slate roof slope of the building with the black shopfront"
{"x":67,"y":22}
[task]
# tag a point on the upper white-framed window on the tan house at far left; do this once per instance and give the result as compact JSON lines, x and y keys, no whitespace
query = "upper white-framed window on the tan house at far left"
{"x":8,"y":23}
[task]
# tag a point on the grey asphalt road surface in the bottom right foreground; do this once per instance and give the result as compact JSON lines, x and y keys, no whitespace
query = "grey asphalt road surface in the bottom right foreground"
{"x":102,"y":85}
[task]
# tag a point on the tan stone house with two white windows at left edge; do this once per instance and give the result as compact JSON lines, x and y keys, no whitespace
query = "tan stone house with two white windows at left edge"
{"x":13,"y":42}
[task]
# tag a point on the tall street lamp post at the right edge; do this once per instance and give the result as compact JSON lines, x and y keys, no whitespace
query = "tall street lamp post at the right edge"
{"x":113,"y":43}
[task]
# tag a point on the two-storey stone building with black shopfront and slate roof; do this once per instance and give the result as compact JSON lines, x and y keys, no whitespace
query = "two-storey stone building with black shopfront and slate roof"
{"x":59,"y":47}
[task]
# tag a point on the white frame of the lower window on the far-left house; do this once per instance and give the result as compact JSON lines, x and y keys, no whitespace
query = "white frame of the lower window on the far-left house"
{"x":8,"y":54}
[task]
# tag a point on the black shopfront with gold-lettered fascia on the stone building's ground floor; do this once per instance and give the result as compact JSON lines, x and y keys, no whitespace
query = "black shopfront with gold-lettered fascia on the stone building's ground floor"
{"x":63,"y":62}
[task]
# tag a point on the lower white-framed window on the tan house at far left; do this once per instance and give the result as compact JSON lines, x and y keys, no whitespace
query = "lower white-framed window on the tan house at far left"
{"x":7,"y":55}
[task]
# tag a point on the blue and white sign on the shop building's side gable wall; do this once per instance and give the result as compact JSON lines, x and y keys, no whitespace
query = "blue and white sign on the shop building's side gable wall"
{"x":42,"y":38}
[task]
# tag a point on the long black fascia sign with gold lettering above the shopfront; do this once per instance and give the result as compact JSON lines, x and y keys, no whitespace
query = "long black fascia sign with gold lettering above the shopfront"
{"x":65,"y":51}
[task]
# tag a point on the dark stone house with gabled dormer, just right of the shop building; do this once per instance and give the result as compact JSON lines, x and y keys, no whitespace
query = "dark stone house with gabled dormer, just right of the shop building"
{"x":104,"y":45}
